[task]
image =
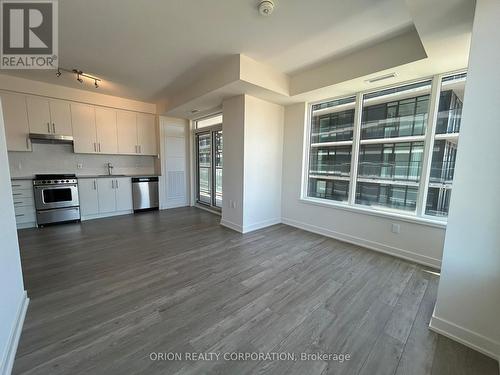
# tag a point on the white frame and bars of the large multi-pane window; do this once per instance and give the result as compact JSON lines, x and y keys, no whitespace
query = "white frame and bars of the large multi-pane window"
{"x":417,"y":216}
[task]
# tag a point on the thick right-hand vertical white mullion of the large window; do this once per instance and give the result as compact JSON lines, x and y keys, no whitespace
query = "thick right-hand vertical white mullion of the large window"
{"x":429,"y":144}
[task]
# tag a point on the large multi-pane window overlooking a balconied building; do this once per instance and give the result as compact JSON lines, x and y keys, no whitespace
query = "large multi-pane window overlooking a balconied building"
{"x":391,"y":150}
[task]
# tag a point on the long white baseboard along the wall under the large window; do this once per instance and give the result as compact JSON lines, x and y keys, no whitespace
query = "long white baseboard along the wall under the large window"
{"x":372,"y":245}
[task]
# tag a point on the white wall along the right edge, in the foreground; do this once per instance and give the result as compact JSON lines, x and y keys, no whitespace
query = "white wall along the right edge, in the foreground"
{"x":468,"y":303}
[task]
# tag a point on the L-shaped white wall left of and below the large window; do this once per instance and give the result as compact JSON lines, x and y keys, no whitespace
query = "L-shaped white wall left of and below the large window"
{"x":421,"y":243}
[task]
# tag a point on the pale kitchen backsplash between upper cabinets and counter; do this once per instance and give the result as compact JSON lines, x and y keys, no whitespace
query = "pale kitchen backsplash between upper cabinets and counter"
{"x":59,"y":158}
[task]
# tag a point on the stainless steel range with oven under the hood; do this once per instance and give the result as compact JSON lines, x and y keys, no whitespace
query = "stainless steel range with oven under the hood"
{"x":56,"y":198}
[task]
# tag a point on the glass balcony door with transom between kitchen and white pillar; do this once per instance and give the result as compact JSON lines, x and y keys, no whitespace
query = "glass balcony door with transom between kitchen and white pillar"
{"x":208,"y":143}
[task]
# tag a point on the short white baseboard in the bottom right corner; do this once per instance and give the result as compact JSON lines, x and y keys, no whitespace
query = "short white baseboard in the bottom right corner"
{"x":466,"y":337}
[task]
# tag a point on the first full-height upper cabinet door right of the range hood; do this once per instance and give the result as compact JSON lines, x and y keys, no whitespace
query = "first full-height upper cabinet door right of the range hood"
{"x":84,"y":128}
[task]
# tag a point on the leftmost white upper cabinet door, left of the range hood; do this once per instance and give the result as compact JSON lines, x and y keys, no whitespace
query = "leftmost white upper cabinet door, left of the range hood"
{"x":15,"y":115}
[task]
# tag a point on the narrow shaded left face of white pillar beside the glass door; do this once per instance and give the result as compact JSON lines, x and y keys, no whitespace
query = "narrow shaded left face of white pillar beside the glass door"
{"x":233,"y":128}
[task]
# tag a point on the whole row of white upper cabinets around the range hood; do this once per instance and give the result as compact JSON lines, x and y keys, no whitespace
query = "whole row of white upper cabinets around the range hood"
{"x":95,"y":129}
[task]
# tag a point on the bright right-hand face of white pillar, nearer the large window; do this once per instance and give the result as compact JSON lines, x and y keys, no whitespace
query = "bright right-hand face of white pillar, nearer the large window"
{"x":263,"y":157}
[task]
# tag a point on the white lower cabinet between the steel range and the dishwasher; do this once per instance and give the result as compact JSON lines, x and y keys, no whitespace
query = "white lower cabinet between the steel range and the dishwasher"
{"x":100,"y":197}
